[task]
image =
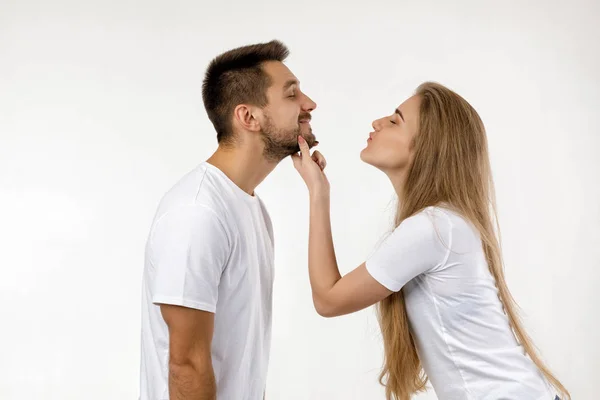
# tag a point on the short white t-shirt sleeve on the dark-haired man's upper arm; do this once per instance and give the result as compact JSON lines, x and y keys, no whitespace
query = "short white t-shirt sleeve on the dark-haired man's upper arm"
{"x":189,"y":251}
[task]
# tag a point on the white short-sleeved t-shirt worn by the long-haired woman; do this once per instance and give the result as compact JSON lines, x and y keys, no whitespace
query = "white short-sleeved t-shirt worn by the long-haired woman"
{"x":462,"y":334}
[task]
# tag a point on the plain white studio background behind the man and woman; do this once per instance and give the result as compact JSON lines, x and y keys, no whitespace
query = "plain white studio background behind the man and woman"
{"x":101,"y":112}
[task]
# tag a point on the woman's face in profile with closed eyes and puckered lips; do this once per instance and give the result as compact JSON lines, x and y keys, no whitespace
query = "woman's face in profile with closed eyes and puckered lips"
{"x":389,"y":145}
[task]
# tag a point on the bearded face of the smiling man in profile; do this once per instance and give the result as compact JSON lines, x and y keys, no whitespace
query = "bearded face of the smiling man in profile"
{"x":287,"y":114}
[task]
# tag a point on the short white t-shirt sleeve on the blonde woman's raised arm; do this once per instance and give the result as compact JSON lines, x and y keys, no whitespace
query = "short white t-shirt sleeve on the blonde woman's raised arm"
{"x":418,"y":245}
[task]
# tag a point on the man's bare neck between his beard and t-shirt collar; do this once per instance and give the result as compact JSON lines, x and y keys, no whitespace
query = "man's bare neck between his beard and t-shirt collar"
{"x":247,"y":168}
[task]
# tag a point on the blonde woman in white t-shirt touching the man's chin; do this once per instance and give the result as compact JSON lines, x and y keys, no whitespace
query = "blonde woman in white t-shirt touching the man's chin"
{"x":445,"y":311}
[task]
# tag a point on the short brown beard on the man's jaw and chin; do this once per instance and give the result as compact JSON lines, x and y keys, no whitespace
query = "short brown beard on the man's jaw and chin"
{"x":280,"y":143}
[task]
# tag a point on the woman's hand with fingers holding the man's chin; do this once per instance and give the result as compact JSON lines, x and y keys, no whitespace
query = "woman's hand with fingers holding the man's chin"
{"x":311,"y":169}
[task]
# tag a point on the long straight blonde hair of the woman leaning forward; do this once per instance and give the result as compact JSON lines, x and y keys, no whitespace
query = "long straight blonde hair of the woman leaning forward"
{"x":451,"y":165}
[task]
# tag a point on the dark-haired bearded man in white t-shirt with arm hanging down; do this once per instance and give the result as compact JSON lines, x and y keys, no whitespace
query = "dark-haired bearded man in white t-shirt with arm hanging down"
{"x":208,"y":276}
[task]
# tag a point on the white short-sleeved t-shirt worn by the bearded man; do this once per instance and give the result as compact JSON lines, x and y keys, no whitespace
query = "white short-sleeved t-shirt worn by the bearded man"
{"x":210,"y":248}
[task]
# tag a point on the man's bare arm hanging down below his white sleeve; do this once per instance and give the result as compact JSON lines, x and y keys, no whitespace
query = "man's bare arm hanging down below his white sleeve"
{"x":191,"y":375}
